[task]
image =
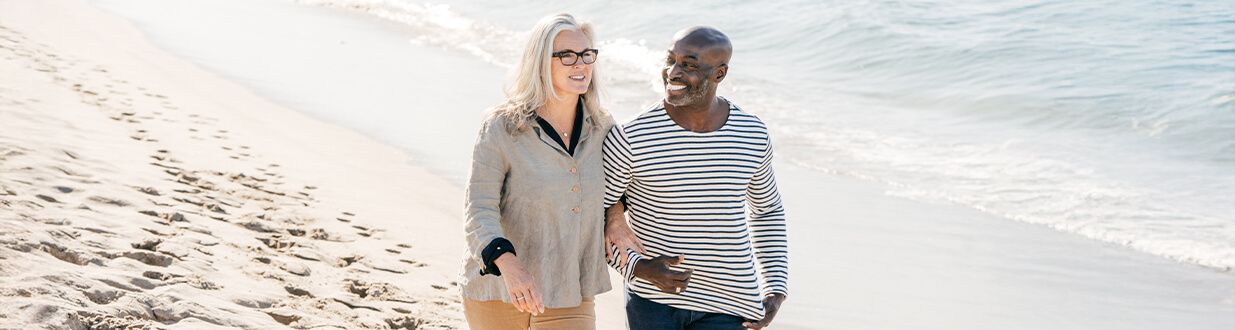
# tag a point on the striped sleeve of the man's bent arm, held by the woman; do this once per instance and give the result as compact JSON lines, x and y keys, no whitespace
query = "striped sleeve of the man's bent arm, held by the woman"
{"x":617,"y":159}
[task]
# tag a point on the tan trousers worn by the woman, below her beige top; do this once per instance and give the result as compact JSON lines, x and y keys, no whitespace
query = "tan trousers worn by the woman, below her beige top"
{"x":498,"y":316}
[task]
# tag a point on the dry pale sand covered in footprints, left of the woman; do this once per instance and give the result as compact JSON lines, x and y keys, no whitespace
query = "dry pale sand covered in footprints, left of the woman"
{"x":140,"y":191}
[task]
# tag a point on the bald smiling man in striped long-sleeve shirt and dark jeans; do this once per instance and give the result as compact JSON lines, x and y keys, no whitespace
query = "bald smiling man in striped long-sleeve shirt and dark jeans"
{"x":689,"y":169}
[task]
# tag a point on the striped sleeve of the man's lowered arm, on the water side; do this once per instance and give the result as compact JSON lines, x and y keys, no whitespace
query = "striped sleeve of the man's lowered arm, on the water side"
{"x":768,"y":224}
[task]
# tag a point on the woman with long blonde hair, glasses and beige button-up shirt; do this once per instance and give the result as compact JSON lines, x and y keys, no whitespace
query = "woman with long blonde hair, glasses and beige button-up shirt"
{"x":534,"y":197}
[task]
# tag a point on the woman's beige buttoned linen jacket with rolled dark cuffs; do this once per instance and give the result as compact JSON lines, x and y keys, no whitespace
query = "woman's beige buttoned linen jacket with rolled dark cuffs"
{"x":527,"y":188}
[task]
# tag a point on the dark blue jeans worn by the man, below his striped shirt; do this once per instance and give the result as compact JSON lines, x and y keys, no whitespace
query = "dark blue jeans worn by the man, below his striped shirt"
{"x":643,"y":315}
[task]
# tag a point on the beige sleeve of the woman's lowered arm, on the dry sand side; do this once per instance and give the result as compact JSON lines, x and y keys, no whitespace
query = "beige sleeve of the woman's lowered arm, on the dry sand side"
{"x":490,"y":170}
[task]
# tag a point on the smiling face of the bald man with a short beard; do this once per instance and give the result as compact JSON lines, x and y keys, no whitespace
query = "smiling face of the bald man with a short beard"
{"x":689,"y":75}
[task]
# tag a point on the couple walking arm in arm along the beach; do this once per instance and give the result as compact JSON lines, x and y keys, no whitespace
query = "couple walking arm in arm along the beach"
{"x":554,"y":180}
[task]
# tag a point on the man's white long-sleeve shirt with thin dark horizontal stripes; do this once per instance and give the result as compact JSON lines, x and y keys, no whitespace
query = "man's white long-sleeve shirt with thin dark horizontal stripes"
{"x":689,"y":193}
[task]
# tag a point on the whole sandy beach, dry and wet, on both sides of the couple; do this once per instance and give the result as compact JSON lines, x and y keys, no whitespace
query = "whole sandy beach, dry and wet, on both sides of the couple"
{"x":272,"y":165}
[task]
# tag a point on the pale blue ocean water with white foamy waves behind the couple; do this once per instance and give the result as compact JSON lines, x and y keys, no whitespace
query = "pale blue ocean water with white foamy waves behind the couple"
{"x":1112,"y":121}
